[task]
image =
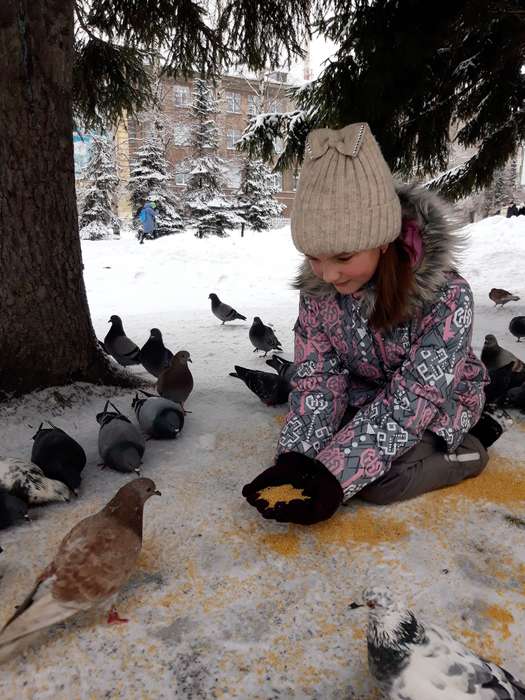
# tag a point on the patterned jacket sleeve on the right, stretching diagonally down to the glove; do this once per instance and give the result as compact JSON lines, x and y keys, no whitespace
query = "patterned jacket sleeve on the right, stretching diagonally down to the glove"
{"x":395,"y":421}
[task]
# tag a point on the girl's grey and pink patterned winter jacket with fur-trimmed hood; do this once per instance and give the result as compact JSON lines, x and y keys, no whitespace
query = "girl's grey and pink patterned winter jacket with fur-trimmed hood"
{"x":422,"y":375}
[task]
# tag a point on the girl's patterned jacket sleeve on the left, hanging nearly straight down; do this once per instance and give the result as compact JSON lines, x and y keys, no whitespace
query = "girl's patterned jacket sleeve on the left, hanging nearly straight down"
{"x":319,"y":397}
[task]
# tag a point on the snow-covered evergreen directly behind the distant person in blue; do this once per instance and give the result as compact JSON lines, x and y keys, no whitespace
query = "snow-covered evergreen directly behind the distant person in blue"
{"x":149,"y":181}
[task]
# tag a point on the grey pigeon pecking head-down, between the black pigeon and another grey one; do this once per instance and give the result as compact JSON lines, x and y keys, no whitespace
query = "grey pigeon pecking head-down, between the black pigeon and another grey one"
{"x":120,"y":443}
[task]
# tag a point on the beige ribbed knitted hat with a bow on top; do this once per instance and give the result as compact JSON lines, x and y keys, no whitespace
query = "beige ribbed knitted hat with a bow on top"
{"x":345,"y":199}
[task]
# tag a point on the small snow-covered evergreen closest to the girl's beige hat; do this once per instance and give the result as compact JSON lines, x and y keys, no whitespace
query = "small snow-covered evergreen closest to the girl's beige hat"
{"x":255,"y":198}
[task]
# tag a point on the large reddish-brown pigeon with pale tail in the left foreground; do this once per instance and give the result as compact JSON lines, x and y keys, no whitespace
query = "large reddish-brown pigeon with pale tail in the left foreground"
{"x":90,"y":566}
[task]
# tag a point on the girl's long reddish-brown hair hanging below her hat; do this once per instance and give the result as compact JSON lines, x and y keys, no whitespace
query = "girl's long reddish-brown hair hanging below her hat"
{"x":394,"y":284}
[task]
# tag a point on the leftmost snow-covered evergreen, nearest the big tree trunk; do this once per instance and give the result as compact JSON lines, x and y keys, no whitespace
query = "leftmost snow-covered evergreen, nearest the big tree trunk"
{"x":97,"y":219}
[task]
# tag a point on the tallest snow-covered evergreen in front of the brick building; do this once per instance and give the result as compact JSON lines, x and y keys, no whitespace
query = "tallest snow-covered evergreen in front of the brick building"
{"x":210,"y":210}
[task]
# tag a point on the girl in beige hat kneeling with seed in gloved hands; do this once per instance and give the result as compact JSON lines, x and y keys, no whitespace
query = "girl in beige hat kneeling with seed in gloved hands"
{"x":388,"y":394}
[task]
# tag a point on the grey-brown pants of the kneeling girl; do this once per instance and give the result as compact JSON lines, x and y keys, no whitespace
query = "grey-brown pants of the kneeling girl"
{"x":425,"y":468}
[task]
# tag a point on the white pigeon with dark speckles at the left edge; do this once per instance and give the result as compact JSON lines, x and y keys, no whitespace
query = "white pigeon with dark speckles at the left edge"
{"x":28,"y":482}
